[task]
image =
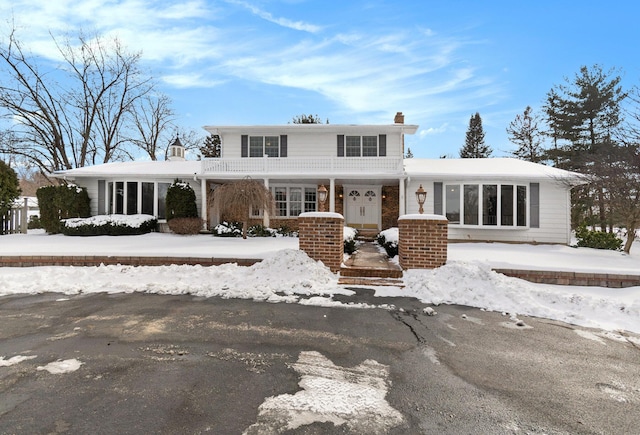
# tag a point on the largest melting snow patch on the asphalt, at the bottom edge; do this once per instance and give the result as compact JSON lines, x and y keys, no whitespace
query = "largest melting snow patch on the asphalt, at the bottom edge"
{"x":351,"y":396}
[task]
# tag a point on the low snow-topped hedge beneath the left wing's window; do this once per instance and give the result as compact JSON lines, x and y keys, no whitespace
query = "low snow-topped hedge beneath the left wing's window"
{"x":110,"y":225}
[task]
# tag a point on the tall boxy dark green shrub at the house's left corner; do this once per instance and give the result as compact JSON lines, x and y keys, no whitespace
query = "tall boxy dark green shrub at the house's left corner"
{"x":61,"y":202}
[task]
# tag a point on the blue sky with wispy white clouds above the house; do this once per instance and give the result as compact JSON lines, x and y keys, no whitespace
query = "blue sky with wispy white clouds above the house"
{"x":354,"y":62}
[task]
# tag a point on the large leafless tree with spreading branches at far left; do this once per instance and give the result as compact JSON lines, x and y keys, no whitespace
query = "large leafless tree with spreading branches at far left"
{"x":75,"y":113}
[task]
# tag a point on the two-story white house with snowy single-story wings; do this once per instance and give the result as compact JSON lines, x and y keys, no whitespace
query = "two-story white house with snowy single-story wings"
{"x":368,"y":182}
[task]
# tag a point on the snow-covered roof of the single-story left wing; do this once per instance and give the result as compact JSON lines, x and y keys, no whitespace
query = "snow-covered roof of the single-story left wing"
{"x":136,"y":169}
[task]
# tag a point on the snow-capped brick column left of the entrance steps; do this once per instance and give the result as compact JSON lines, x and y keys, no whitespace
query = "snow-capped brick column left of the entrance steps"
{"x":321,"y":237}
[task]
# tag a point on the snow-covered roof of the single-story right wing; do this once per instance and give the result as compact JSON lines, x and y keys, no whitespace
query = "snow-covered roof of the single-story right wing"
{"x":491,"y":168}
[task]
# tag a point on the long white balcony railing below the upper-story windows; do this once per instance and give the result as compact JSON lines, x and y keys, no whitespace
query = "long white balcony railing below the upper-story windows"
{"x":293,"y":165}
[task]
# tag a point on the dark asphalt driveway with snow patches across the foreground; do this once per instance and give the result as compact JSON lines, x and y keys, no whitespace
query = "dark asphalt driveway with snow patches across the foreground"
{"x":138,"y":363}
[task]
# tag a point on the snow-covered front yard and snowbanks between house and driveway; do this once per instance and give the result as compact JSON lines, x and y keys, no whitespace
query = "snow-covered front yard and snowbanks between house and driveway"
{"x":288,"y":275}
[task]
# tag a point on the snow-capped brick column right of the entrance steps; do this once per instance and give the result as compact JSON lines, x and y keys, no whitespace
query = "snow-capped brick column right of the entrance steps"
{"x":422,"y":242}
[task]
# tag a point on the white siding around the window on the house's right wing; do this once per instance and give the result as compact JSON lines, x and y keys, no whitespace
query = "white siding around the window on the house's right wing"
{"x":554,"y":216}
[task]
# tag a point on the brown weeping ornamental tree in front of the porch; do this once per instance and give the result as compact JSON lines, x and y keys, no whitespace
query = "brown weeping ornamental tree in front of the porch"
{"x":236,"y":201}
